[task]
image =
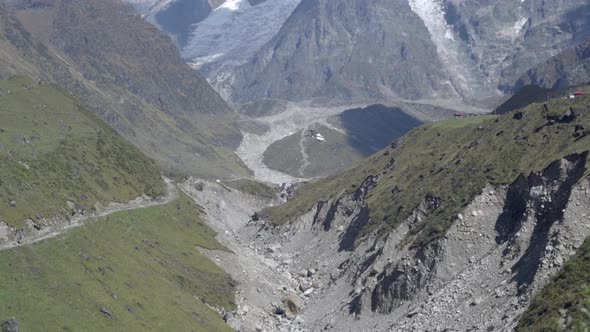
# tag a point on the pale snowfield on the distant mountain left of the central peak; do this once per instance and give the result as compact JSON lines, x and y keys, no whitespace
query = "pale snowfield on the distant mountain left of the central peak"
{"x":235,"y":31}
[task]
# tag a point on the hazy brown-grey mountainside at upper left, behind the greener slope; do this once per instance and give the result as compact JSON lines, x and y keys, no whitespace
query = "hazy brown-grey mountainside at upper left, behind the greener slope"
{"x":129,"y":74}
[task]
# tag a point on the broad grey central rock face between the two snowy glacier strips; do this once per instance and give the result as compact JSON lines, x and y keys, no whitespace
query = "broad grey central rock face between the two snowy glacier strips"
{"x":346,"y":50}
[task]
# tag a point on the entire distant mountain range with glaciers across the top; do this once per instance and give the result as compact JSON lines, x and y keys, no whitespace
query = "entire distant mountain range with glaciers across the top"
{"x":354,"y":50}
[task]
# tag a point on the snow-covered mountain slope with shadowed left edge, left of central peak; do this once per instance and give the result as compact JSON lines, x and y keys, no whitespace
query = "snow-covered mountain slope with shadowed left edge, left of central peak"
{"x":216,"y":34}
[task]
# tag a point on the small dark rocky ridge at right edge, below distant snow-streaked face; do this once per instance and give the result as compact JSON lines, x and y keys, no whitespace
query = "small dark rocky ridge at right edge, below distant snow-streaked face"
{"x":568,"y":68}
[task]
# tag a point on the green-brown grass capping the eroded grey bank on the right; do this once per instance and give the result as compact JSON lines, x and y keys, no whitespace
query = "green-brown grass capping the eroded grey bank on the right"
{"x":452,"y":160}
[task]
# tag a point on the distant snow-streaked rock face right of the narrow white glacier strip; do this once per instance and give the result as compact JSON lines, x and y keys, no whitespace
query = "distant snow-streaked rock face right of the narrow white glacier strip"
{"x":505,"y":38}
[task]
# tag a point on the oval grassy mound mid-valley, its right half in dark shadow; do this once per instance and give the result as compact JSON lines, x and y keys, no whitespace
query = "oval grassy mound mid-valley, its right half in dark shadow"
{"x":363,"y":131}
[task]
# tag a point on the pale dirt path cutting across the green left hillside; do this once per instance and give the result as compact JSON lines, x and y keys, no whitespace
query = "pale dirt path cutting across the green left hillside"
{"x":57,"y":230}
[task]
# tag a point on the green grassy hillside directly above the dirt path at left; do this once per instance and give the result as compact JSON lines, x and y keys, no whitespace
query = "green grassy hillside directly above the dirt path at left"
{"x":52,"y":152}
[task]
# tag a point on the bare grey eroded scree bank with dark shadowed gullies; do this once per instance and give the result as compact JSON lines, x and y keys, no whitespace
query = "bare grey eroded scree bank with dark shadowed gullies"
{"x":500,"y":251}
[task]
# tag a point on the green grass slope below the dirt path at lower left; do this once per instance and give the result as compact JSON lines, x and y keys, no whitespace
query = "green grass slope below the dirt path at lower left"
{"x":141,"y":265}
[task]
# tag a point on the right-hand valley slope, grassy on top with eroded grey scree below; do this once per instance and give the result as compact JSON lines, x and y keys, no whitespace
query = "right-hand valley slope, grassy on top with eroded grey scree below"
{"x":437,"y":261}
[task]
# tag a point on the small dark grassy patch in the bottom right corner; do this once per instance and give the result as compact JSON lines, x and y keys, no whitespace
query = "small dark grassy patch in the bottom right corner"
{"x":568,"y":291}
